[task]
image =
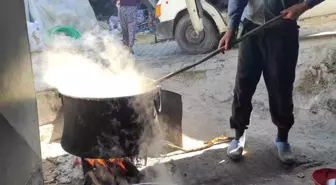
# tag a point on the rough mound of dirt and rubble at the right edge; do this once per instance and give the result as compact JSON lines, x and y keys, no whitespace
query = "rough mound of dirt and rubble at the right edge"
{"x":315,"y":85}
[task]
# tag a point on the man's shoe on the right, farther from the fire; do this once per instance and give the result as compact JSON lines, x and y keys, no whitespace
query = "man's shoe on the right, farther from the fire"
{"x":285,"y":152}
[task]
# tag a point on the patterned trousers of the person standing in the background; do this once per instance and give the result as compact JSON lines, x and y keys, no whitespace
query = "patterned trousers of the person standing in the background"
{"x":128,"y":17}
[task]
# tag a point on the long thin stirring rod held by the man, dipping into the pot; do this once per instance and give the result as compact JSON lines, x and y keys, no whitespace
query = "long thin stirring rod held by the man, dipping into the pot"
{"x":216,"y":52}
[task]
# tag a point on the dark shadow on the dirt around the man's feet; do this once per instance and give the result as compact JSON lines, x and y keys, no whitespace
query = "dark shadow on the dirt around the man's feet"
{"x":213,"y":167}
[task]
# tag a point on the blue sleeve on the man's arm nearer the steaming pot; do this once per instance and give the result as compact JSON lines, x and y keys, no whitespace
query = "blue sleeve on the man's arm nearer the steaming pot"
{"x":235,"y":11}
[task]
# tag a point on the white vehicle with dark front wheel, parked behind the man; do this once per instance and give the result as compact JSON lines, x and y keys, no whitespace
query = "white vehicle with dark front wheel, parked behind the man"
{"x":176,"y":23}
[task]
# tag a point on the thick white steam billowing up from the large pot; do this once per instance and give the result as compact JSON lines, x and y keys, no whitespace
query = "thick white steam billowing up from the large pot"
{"x":92,"y":67}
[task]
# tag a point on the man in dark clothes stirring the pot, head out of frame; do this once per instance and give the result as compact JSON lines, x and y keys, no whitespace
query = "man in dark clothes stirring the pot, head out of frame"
{"x":273,"y":53}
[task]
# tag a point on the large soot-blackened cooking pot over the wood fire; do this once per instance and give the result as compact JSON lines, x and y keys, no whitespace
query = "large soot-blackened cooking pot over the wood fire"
{"x":111,"y":127}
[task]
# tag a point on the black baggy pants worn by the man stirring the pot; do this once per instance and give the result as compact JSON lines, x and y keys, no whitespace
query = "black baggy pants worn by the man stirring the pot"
{"x":273,"y":53}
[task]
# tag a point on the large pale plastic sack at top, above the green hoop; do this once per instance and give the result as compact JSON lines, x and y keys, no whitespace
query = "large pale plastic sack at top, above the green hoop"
{"x":76,"y":13}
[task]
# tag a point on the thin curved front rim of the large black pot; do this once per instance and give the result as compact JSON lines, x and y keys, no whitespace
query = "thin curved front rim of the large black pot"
{"x":155,"y":88}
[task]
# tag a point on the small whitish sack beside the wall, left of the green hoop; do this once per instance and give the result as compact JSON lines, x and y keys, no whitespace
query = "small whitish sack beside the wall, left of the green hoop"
{"x":36,"y":36}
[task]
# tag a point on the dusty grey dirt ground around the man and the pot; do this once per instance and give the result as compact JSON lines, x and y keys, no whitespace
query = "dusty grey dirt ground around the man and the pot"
{"x":207,"y":96}
